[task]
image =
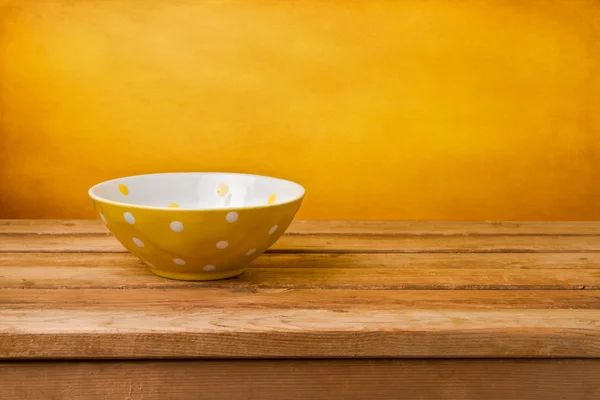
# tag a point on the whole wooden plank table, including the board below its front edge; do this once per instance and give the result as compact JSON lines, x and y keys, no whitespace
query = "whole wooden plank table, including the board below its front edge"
{"x":335,"y":310}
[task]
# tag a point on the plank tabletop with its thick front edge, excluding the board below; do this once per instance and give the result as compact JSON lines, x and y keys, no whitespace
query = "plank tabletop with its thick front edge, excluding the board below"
{"x":433,"y":293}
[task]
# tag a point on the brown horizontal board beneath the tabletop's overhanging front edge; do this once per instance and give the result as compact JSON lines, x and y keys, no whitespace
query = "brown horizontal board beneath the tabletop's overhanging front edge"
{"x":303,"y":379}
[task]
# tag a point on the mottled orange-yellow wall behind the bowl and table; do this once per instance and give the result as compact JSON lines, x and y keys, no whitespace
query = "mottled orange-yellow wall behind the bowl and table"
{"x":381,"y":109}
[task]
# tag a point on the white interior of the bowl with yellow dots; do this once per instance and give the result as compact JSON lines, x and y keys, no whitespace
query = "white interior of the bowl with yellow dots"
{"x":196,"y":190}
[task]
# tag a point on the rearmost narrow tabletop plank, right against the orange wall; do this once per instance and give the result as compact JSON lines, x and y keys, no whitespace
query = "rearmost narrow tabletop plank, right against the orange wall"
{"x":440,"y":228}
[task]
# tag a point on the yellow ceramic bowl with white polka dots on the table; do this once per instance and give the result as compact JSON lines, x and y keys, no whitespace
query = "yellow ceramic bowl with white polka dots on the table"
{"x":197,"y":226}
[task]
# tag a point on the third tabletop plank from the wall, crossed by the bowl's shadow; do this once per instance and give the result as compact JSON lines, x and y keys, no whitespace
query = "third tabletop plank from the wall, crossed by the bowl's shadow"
{"x":331,"y":260}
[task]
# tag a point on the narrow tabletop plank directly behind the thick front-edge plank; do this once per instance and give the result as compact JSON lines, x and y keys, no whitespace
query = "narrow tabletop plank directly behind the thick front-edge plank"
{"x":340,"y":300}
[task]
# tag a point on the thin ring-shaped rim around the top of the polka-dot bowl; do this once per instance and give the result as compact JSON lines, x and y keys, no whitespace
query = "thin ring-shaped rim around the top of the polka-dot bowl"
{"x":180,"y":209}
